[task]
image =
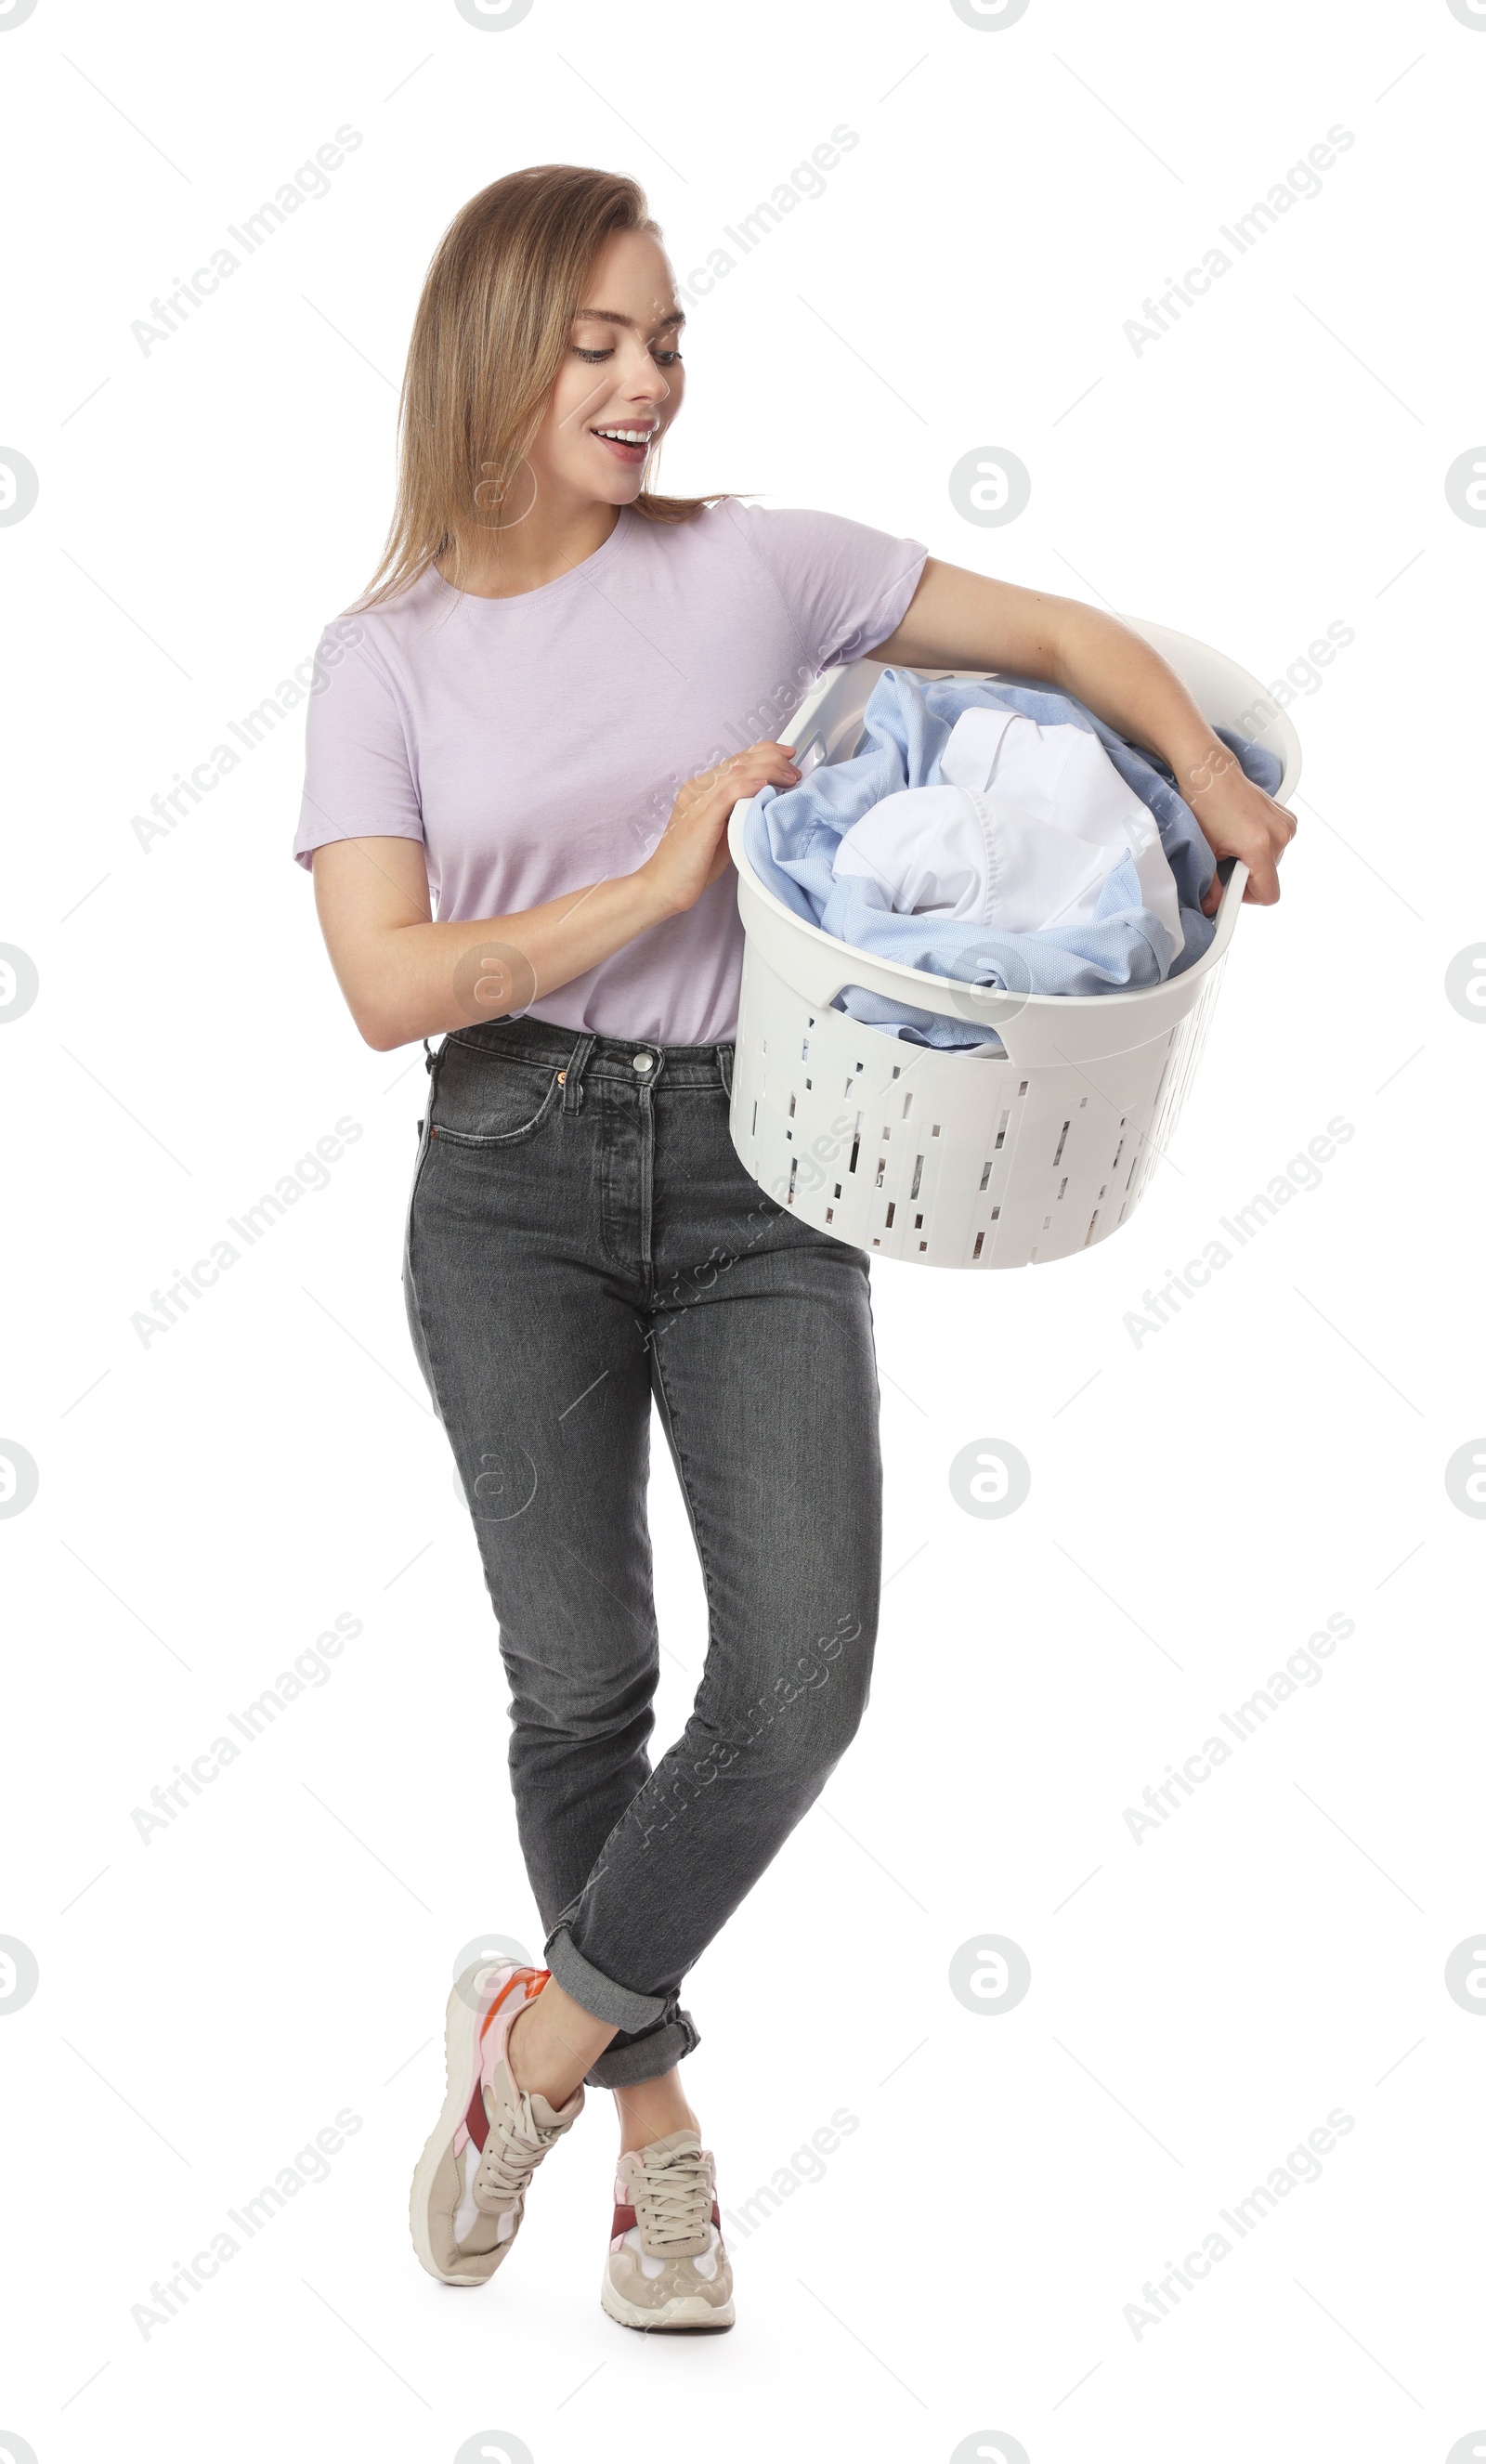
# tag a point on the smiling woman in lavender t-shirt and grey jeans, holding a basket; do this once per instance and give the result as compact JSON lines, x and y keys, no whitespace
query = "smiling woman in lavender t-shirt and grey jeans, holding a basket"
{"x":546,"y":703}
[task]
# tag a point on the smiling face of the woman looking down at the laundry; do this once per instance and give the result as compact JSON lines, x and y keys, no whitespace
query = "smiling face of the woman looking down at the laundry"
{"x":620,"y":383}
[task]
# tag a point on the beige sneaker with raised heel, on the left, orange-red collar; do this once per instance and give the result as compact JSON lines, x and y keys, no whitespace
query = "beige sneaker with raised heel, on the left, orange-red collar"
{"x":472,"y":2179}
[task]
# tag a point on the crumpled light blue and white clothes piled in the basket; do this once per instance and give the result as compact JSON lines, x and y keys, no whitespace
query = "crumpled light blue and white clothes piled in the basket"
{"x":1036,"y":809}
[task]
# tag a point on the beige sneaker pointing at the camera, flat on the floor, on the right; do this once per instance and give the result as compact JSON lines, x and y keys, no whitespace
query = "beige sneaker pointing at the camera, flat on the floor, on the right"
{"x":667,"y":2261}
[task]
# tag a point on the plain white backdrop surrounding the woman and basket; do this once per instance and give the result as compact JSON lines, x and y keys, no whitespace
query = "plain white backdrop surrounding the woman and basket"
{"x":1199,"y":1504}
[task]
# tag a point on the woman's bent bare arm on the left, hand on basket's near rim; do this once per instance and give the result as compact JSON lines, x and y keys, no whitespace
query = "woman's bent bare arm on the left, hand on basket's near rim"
{"x":408,"y":977}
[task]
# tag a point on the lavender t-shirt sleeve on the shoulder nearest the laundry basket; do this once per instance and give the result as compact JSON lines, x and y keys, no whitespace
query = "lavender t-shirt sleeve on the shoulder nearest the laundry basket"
{"x":847,"y":588}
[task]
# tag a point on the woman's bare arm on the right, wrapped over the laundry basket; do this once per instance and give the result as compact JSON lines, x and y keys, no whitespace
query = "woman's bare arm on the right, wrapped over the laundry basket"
{"x":960,"y":620}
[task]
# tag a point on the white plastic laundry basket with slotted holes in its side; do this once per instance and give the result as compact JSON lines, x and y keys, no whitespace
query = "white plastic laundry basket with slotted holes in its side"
{"x":967,"y":1159}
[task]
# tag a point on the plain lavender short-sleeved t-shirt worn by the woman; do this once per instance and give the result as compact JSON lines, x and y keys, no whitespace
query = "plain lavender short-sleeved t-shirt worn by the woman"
{"x":538,"y":743}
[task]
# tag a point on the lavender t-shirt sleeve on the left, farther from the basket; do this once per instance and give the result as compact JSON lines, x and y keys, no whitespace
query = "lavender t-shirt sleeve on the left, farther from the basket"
{"x":359,"y":770}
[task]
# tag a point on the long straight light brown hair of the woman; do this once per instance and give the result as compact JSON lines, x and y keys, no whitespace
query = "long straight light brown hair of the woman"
{"x":484,"y":356}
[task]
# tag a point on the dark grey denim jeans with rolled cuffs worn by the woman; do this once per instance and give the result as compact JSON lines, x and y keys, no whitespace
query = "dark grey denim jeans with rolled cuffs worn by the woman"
{"x":583,"y":1241}
